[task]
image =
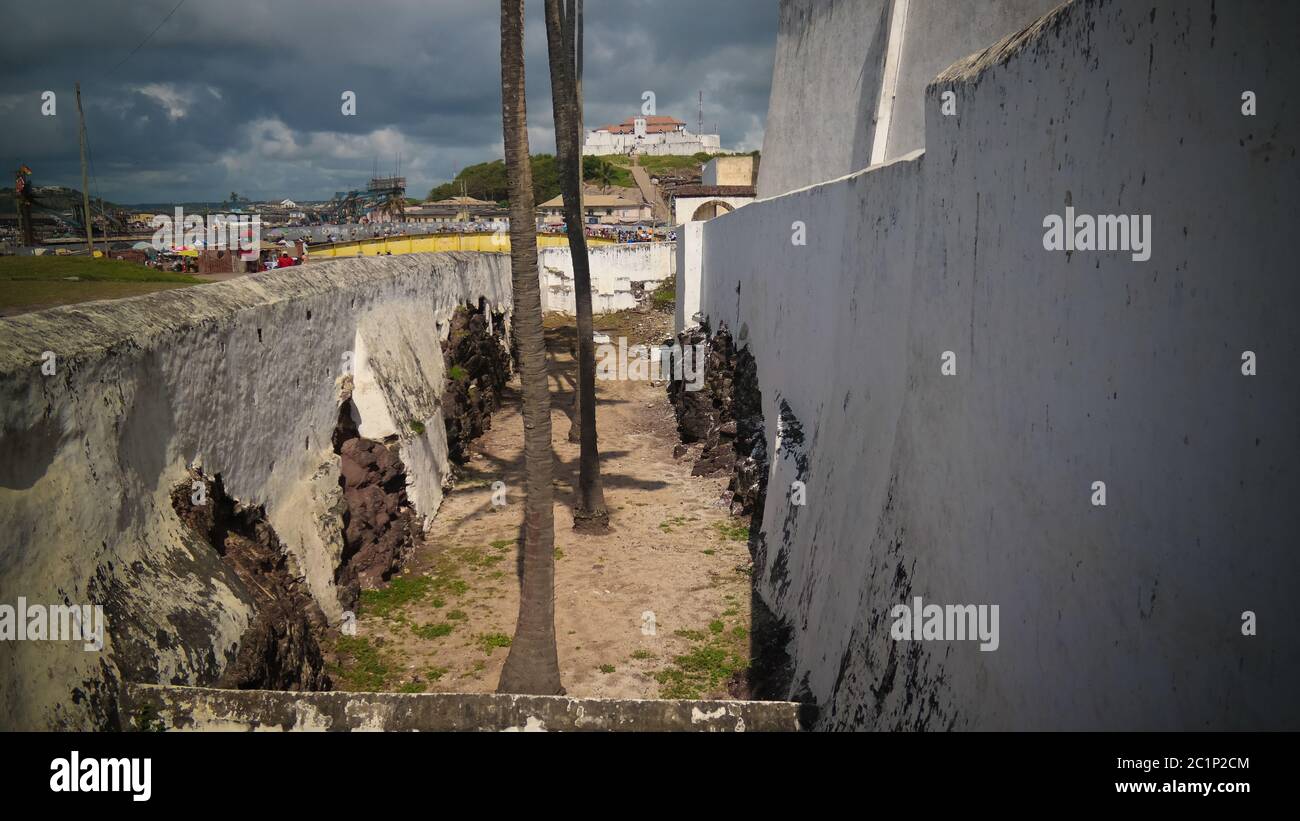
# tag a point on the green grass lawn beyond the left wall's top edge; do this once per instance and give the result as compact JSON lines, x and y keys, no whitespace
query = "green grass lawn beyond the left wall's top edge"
{"x":36,"y":283}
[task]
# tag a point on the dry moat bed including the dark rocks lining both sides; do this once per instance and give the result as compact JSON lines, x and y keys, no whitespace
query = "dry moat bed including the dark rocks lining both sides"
{"x":662,"y":606}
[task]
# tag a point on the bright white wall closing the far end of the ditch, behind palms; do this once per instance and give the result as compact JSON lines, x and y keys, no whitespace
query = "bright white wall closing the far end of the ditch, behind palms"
{"x":614,"y":270}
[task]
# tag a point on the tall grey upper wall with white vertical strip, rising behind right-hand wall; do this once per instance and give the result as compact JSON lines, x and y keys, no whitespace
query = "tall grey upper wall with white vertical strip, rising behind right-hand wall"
{"x":831,"y":79}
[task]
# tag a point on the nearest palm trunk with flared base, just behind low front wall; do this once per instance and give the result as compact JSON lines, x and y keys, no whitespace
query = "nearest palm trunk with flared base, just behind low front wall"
{"x":532,"y":666}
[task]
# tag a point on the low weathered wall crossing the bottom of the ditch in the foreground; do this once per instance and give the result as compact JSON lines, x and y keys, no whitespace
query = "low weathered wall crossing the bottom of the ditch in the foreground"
{"x":194,"y":709}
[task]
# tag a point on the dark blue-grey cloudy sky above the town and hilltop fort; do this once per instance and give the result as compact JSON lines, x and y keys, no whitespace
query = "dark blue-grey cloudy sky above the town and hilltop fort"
{"x":245,"y":95}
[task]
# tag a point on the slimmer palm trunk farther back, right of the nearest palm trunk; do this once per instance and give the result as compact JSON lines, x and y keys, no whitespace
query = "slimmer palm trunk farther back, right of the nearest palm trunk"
{"x":590,"y":514}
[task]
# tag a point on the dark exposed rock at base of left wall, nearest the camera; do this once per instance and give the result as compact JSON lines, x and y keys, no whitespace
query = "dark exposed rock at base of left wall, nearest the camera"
{"x":280,"y":650}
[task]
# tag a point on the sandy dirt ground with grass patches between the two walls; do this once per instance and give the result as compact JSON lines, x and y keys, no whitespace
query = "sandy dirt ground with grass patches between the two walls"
{"x":658,"y":607}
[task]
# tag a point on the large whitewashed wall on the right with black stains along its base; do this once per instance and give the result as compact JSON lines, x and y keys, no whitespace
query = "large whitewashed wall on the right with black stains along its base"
{"x":1072,"y":368}
